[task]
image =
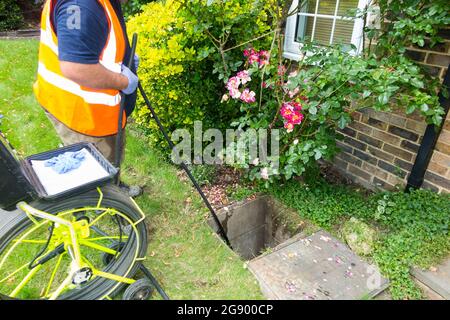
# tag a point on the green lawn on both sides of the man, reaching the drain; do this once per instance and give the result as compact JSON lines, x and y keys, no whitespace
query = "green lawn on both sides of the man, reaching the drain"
{"x":184,"y":254}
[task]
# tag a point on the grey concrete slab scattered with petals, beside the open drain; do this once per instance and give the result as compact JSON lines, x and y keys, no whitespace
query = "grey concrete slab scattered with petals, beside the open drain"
{"x":318,"y":267}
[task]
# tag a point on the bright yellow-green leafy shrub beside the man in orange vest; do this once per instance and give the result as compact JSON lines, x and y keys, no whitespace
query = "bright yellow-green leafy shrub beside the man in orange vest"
{"x":177,"y":60}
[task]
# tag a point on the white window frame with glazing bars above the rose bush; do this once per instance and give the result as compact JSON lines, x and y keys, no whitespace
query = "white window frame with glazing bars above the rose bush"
{"x":292,"y":48}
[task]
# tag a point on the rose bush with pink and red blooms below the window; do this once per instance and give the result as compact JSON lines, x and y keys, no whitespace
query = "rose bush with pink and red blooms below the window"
{"x":312,"y":99}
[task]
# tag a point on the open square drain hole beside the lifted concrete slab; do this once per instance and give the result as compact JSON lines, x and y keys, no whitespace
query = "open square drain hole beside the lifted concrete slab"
{"x":257,"y":225}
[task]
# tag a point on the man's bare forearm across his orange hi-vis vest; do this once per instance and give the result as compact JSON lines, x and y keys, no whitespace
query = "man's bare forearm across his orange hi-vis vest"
{"x":94,"y":76}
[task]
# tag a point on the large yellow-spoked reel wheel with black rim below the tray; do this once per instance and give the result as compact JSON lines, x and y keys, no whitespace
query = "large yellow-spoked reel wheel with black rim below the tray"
{"x":96,"y":228}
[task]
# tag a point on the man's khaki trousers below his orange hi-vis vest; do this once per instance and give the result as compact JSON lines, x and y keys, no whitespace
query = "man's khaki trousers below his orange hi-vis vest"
{"x":106,"y":145}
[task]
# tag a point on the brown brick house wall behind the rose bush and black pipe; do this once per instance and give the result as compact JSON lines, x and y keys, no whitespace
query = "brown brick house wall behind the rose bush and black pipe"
{"x":379,"y":148}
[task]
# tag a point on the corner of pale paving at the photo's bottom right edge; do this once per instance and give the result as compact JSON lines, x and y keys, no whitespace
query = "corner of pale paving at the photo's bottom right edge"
{"x":437,"y":279}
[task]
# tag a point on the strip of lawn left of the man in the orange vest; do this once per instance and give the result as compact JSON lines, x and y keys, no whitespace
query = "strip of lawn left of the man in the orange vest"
{"x":25,"y":124}
